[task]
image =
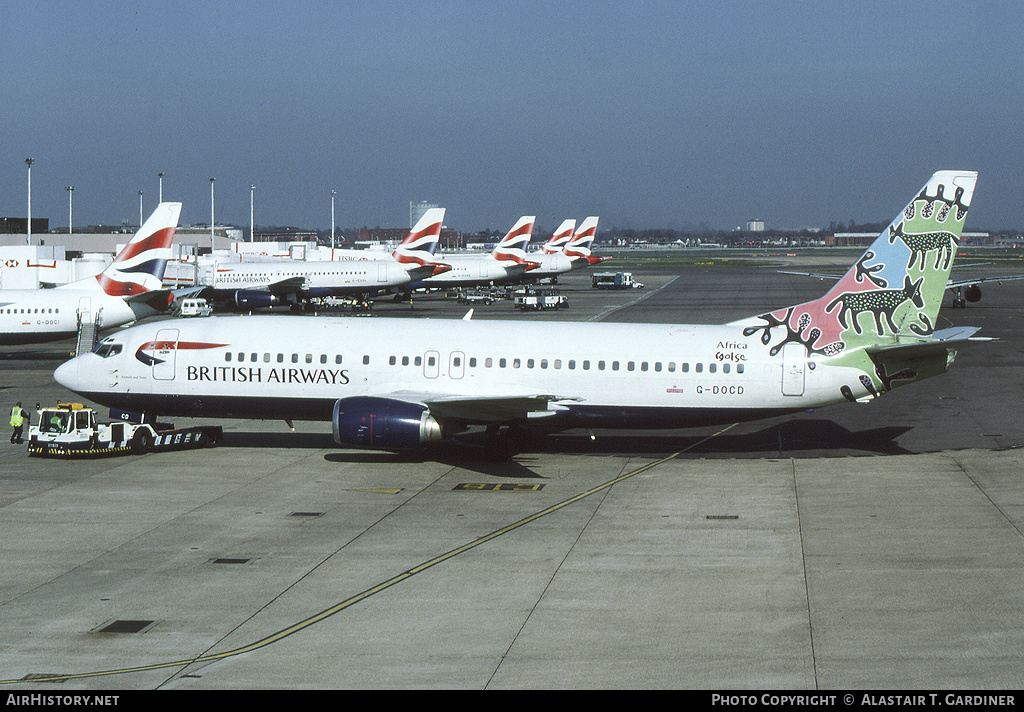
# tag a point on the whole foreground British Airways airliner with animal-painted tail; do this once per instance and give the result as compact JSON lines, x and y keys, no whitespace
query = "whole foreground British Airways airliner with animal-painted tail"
{"x":402,"y":384}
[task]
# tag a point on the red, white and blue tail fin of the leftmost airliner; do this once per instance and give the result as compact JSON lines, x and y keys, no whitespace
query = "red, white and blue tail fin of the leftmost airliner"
{"x":140,"y":267}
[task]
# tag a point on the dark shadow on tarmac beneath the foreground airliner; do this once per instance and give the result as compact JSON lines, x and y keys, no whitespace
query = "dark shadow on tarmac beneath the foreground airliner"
{"x":472,"y":451}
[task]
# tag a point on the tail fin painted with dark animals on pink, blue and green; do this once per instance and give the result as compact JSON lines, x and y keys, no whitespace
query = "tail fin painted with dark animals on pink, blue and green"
{"x":894,"y":290}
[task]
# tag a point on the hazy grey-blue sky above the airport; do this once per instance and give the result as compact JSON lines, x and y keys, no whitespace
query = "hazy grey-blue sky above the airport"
{"x":650,"y":114}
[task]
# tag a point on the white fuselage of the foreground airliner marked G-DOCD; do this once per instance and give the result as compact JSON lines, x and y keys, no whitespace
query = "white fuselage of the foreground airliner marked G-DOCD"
{"x":602,"y":375}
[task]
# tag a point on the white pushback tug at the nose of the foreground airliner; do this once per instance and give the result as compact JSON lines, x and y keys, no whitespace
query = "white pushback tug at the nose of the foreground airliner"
{"x":71,"y":430}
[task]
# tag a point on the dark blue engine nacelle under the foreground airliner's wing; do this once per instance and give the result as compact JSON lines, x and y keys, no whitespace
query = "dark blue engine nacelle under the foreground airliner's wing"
{"x":365,"y":422}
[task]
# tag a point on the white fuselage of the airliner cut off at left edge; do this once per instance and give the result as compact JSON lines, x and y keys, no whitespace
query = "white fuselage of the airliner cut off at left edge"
{"x":31,"y":316}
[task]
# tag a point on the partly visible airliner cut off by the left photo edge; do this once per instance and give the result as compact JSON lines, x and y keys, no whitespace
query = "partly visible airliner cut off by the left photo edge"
{"x":130,"y":289}
